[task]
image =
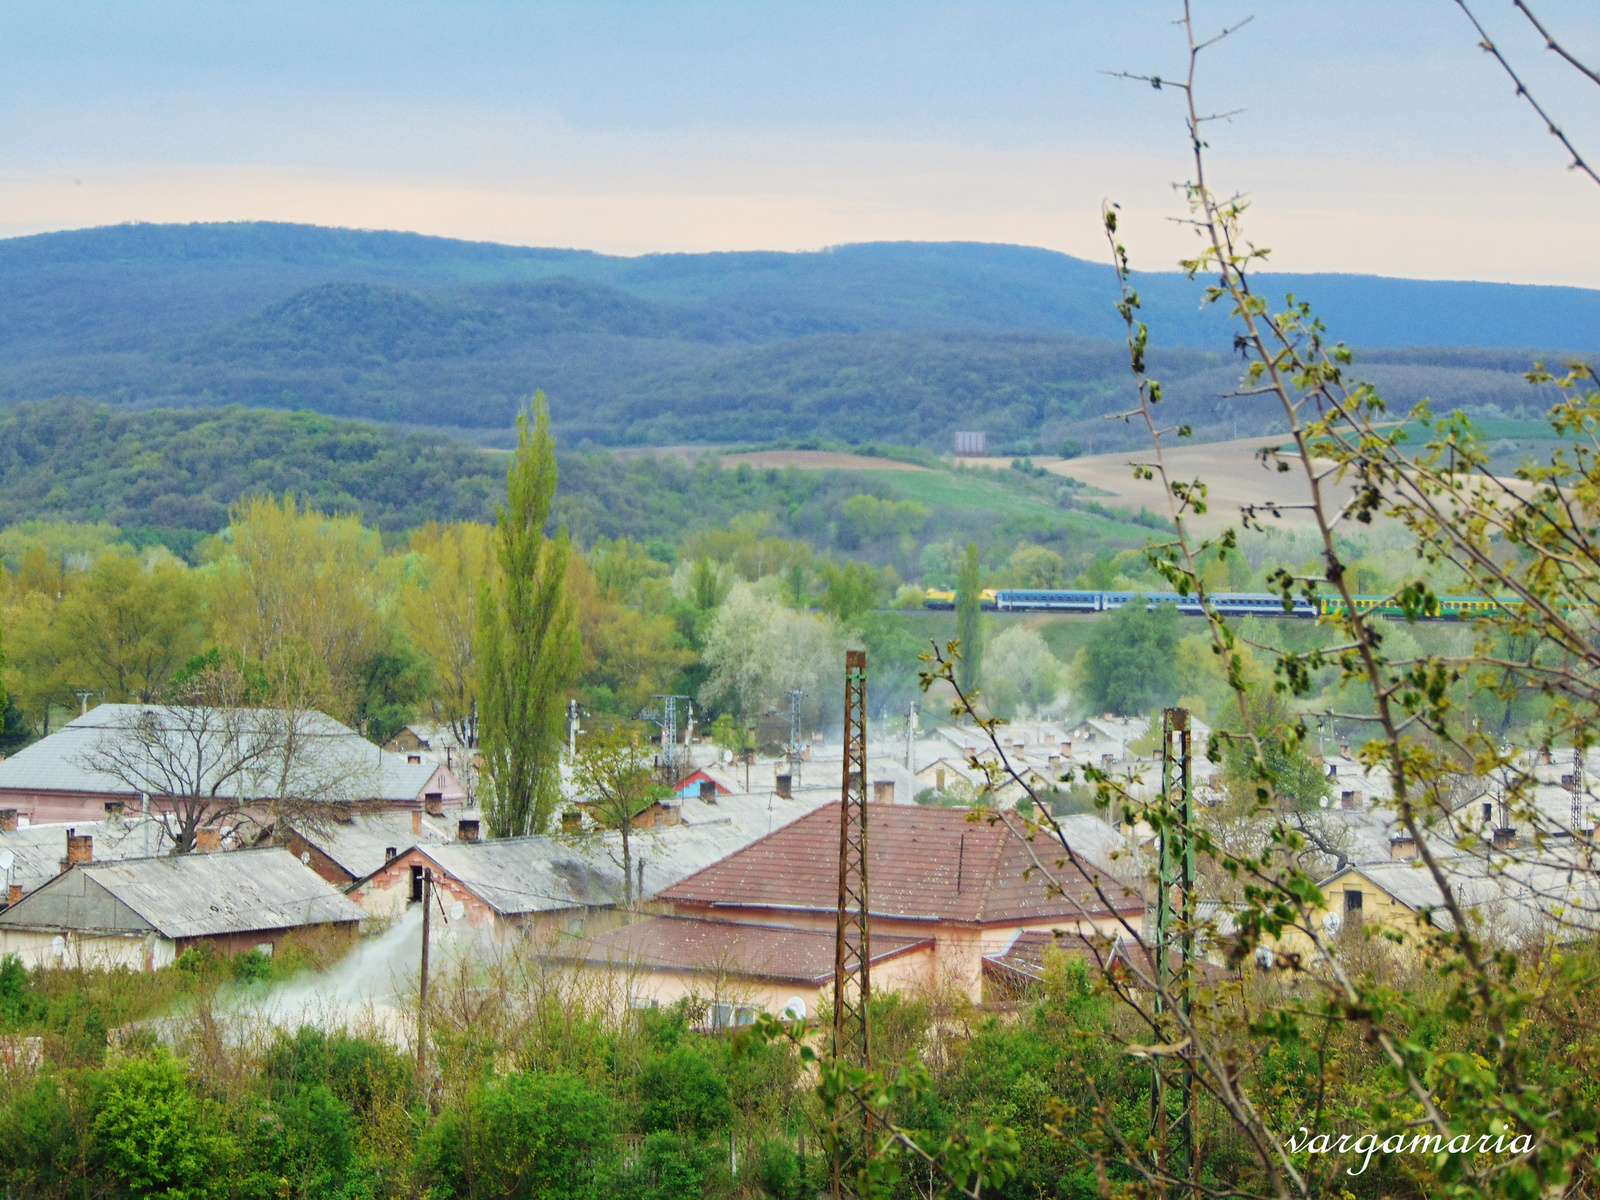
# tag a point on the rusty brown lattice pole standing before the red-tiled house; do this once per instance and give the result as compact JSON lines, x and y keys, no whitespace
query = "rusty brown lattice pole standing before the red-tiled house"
{"x":854,"y":937}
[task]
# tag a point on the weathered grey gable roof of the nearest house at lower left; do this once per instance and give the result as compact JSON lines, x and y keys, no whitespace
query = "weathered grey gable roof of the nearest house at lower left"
{"x":207,"y":895}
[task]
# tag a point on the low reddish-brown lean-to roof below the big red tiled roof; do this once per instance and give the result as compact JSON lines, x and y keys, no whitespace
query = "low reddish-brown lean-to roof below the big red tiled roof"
{"x":710,"y":946}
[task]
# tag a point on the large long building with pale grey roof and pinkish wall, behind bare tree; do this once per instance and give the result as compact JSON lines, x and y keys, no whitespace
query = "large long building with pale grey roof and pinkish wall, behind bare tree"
{"x":63,"y":778}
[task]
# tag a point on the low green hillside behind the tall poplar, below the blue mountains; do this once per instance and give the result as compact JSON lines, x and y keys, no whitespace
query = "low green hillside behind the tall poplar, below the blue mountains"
{"x":172,"y":474}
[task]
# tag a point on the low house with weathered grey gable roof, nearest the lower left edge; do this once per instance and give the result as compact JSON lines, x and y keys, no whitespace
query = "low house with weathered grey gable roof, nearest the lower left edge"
{"x":142,"y":914}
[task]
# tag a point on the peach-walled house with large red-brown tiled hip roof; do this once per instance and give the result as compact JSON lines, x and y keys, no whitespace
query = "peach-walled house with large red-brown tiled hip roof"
{"x":969,"y":887}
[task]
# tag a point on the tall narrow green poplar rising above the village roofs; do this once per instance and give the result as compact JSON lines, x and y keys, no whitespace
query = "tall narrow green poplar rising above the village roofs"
{"x":530,"y":652}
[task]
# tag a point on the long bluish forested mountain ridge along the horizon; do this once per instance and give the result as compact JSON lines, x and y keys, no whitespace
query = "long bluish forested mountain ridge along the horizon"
{"x":903,"y":342}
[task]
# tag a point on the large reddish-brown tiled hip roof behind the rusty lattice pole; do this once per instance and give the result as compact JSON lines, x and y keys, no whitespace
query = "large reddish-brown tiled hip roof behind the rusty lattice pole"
{"x":924,"y":863}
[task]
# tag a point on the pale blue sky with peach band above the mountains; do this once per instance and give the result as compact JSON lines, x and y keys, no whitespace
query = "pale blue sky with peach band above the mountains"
{"x":1369,"y":138}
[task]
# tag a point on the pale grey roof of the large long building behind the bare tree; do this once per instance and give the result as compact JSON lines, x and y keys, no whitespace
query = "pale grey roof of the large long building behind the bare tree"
{"x":62,"y":762}
